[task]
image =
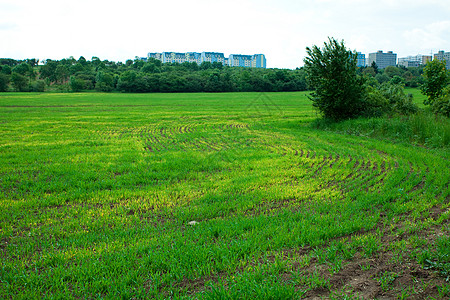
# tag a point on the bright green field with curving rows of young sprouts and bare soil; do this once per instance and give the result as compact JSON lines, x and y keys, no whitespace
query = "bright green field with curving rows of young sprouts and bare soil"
{"x":98,"y":192}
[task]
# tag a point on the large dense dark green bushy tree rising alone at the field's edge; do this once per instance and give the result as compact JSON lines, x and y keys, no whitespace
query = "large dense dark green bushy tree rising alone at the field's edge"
{"x":337,"y":89}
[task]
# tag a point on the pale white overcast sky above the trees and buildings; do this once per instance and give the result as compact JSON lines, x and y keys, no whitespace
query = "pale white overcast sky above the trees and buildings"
{"x":280,"y":29}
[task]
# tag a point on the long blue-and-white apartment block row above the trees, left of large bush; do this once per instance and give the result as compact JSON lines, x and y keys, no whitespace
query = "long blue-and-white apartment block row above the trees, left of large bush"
{"x":237,"y":60}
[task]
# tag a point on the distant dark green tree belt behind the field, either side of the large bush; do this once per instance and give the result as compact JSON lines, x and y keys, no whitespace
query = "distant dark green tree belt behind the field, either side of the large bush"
{"x":153,"y":76}
